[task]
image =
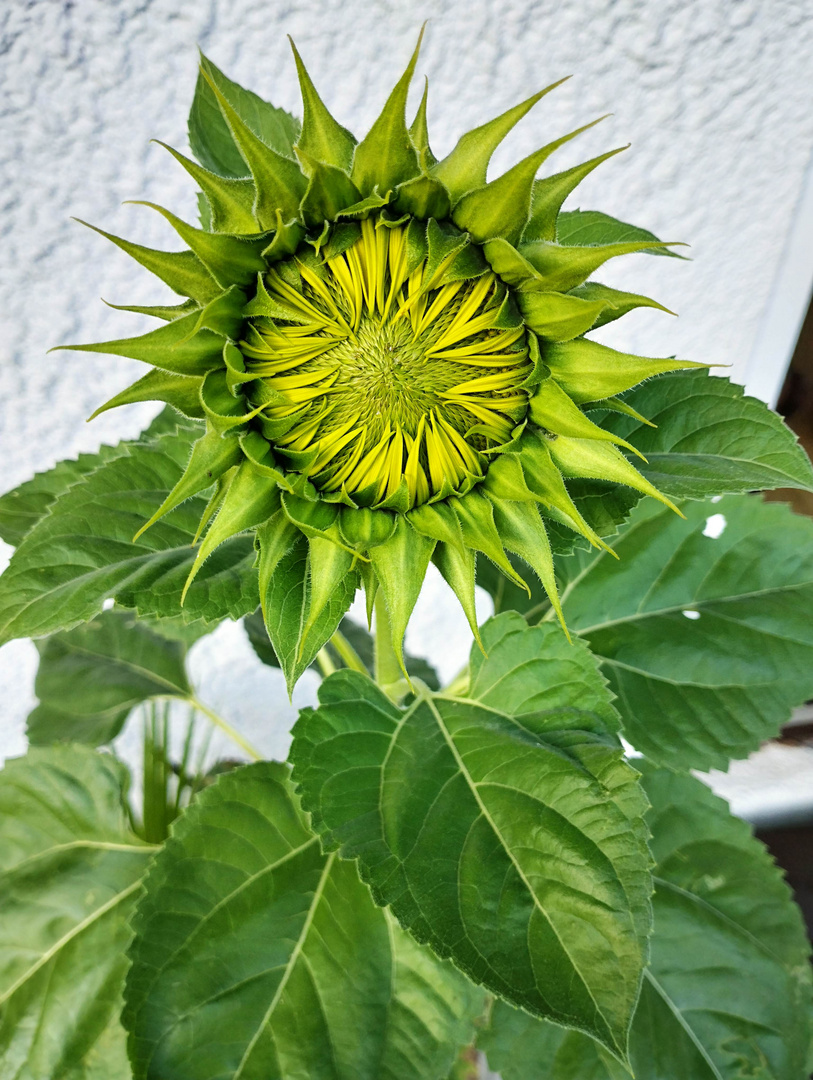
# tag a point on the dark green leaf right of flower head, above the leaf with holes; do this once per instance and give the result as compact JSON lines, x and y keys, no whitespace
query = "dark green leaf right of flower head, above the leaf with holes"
{"x":711,"y":439}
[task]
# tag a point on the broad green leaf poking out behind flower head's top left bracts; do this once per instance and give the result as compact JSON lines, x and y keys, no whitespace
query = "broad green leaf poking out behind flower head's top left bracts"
{"x":210,"y":137}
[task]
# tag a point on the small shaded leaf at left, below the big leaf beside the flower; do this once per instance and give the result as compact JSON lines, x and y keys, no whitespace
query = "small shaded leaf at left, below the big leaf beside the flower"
{"x":90,"y":679}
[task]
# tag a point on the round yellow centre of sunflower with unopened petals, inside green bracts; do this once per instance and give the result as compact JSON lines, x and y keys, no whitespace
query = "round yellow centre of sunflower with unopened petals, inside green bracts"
{"x":385,"y":381}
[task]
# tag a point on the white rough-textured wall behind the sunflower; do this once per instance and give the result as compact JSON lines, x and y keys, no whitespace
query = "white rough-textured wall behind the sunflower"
{"x":714,"y":96}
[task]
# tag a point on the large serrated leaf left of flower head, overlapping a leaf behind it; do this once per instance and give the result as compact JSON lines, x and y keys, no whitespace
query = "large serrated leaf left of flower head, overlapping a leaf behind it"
{"x":83,"y":553}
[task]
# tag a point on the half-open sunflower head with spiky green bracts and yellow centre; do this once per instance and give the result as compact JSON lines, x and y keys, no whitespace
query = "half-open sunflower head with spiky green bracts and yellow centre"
{"x":388,"y":352}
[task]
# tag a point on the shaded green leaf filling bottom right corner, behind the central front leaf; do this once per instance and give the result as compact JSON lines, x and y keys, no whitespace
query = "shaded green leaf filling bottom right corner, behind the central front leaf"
{"x":728,"y":994}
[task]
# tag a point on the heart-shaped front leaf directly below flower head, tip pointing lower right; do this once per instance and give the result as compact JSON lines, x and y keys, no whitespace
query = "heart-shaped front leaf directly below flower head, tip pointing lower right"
{"x":505,"y":829}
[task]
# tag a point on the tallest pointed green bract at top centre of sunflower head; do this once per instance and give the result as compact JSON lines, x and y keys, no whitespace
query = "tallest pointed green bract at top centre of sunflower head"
{"x":386,"y":156}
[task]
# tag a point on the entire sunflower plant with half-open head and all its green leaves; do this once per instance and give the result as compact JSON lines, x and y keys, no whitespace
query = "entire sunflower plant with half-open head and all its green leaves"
{"x":381,"y":360}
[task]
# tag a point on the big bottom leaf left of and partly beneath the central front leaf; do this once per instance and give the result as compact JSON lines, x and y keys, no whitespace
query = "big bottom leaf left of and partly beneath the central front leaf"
{"x":258,"y":956}
